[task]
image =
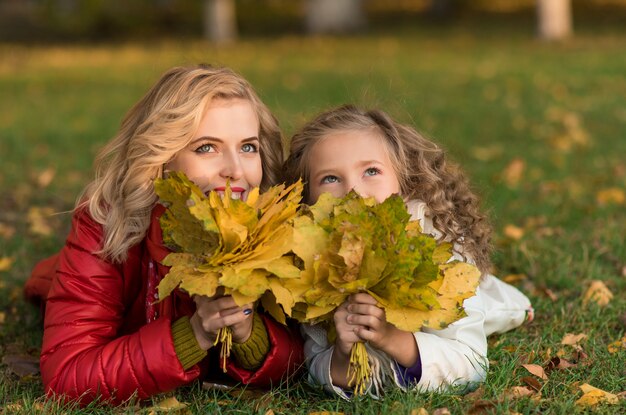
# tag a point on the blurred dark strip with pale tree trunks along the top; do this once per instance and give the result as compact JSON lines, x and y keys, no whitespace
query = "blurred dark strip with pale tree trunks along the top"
{"x":225,"y":20}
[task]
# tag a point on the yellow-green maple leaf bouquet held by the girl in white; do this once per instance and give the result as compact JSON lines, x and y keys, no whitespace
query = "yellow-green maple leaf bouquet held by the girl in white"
{"x":353,"y":245}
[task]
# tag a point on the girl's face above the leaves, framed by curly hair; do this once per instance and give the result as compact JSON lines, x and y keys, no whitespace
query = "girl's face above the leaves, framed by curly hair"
{"x":353,"y":159}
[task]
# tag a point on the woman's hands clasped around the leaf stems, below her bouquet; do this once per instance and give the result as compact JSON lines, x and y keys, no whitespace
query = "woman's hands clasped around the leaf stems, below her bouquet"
{"x":212,"y":314}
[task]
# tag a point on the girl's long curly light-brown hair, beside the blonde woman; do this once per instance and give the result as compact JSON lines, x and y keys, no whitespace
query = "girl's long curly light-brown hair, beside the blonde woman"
{"x":421,"y":167}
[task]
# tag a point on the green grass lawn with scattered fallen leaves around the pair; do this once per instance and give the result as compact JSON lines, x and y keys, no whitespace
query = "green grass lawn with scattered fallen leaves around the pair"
{"x":488,"y":97}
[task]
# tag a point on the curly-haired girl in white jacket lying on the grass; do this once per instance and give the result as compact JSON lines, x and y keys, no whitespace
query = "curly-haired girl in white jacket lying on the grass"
{"x":347,"y":148}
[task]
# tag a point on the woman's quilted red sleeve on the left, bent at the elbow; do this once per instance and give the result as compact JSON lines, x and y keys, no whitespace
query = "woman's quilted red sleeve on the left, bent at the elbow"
{"x":84,"y":353}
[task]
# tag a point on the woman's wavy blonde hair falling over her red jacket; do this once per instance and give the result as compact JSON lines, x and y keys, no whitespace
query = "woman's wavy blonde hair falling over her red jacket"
{"x":156,"y":128}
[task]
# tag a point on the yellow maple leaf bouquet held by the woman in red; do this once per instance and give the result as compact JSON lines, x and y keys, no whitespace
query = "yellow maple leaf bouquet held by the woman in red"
{"x":242,"y":246}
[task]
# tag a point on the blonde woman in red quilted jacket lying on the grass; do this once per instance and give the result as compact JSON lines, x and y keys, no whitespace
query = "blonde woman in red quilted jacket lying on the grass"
{"x":104,"y":333}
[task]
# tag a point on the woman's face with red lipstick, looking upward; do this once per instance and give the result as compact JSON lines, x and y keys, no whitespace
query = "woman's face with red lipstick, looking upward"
{"x":225,"y":148}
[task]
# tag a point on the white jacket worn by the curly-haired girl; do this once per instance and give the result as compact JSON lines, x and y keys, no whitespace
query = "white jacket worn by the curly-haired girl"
{"x":456,"y":355}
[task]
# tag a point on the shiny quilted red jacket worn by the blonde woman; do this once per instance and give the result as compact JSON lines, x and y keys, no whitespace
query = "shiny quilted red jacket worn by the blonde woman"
{"x":103,"y":334}
